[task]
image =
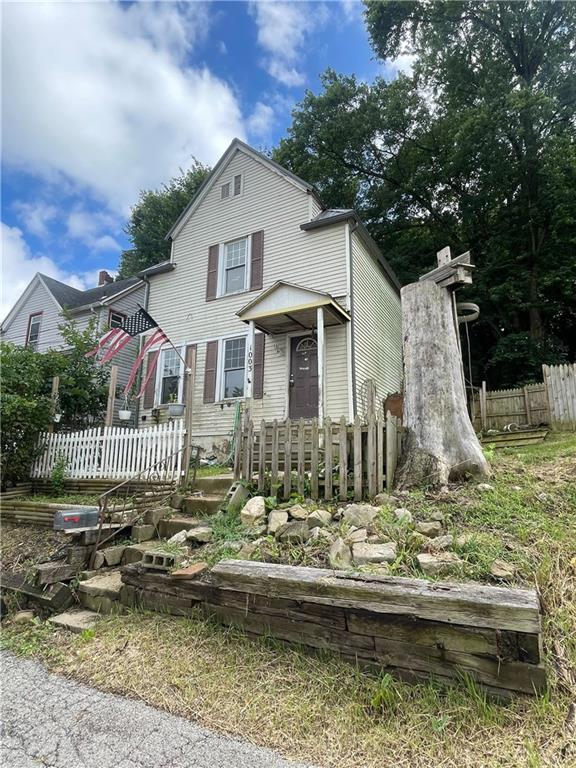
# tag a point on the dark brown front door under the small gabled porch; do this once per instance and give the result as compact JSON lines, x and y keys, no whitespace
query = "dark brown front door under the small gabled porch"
{"x":303,"y":397}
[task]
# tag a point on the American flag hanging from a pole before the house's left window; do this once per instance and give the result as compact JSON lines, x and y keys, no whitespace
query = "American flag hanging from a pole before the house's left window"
{"x":116,"y":339}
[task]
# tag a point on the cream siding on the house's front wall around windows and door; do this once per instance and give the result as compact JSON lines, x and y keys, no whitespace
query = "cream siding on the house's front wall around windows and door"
{"x":313,"y":260}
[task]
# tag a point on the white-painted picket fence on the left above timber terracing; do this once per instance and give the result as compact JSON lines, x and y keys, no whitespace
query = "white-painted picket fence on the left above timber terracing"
{"x":113,"y":452}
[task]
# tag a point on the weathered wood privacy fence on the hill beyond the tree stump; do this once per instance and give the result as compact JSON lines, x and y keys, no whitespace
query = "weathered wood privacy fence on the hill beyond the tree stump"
{"x":552,"y":402}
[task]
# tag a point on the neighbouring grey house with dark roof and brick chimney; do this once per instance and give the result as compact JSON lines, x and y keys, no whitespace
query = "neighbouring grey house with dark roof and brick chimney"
{"x":34,"y":319}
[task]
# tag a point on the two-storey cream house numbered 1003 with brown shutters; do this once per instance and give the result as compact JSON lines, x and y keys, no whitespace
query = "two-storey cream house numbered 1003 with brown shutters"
{"x":280,"y":304}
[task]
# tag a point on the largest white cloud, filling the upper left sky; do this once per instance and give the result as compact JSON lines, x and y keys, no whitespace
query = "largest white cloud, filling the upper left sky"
{"x":98,"y":94}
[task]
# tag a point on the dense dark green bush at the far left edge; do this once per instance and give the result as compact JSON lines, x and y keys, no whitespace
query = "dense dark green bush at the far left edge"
{"x":26,"y":410}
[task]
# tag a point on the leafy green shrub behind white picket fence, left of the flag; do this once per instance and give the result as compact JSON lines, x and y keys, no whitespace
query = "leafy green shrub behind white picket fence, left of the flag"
{"x":83,"y":389}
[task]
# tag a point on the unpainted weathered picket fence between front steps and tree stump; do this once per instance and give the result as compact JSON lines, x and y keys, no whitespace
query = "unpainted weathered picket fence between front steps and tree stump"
{"x":332,"y":459}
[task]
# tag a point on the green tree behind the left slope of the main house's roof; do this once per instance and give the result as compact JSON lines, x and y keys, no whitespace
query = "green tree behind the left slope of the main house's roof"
{"x":153,"y":216}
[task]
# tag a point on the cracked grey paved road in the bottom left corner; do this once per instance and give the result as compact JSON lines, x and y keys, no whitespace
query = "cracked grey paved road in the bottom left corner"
{"x":50,"y":721}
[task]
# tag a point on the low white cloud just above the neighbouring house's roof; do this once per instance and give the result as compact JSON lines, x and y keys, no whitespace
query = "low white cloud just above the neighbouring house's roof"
{"x":19,"y":265}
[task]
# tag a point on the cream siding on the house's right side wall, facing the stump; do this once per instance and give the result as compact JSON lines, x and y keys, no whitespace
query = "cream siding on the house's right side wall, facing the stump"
{"x":377,"y":326}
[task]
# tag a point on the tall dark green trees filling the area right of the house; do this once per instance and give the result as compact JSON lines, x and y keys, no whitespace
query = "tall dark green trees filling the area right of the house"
{"x":473,"y":149}
